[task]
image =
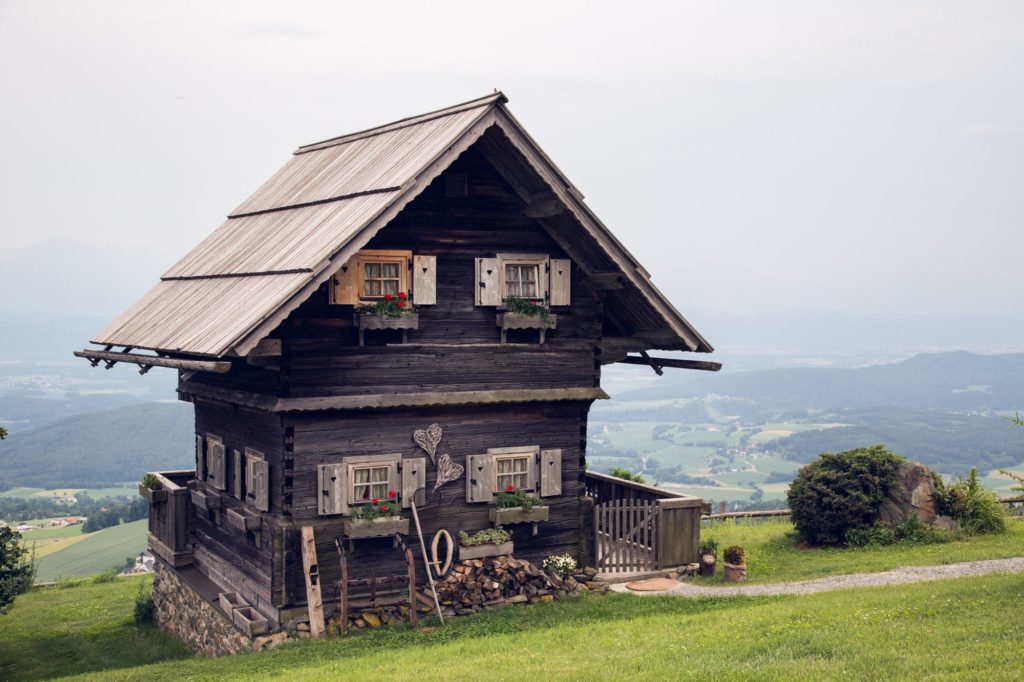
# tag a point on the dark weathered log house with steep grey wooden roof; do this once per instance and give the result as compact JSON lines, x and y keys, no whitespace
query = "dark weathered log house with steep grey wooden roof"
{"x":307,"y":409}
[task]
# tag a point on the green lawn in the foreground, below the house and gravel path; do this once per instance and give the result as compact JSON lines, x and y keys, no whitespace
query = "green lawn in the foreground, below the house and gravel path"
{"x":965,"y":629}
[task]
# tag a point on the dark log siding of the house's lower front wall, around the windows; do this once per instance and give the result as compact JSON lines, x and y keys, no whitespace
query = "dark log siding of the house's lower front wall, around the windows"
{"x":327,"y":438}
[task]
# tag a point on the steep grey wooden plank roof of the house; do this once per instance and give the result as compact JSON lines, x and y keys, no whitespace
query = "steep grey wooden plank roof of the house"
{"x":328,"y":201}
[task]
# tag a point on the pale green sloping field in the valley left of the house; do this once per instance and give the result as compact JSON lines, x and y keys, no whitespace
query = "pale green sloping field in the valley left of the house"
{"x":100,"y":551}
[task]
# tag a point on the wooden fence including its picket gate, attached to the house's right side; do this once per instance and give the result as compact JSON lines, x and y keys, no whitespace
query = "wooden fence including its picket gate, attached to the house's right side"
{"x":670,"y":524}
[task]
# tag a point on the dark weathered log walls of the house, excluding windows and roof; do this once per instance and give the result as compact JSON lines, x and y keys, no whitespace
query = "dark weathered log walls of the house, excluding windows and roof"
{"x":321,"y":357}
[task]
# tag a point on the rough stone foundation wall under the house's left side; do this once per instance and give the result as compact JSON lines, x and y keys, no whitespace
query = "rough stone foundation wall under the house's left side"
{"x":182,"y":612}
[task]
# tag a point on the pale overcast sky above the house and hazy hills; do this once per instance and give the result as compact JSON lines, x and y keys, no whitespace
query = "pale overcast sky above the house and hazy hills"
{"x":754,"y":156}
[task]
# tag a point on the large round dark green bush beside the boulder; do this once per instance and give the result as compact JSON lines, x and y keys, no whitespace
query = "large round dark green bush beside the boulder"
{"x":841,"y":492}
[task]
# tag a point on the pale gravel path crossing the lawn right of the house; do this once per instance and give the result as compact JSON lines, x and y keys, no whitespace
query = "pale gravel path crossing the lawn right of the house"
{"x":898,"y":577}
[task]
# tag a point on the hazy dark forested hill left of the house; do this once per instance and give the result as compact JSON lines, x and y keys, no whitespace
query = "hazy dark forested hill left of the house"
{"x":102,"y":448}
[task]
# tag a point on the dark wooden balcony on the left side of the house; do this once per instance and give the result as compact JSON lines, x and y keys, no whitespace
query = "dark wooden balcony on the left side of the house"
{"x":170,"y":513}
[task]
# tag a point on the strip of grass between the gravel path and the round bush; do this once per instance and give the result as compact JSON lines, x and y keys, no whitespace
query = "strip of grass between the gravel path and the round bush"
{"x":773,"y":555}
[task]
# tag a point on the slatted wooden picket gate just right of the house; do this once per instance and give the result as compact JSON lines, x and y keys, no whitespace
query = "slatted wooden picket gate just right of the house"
{"x":626,"y":536}
